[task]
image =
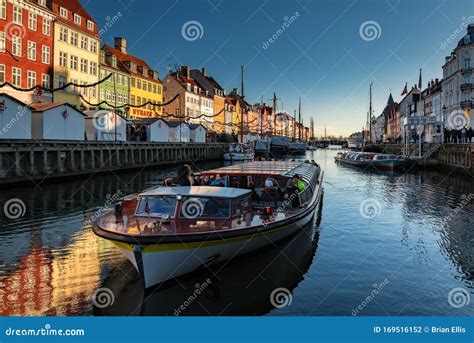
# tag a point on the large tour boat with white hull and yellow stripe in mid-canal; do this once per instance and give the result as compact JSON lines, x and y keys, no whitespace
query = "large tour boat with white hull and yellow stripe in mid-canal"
{"x":166,"y":232}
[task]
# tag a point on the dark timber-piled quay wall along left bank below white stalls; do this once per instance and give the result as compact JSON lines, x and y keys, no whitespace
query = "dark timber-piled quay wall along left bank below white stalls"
{"x":30,"y":160}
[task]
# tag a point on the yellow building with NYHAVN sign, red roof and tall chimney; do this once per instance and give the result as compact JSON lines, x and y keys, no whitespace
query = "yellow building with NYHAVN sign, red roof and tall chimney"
{"x":145,"y":84}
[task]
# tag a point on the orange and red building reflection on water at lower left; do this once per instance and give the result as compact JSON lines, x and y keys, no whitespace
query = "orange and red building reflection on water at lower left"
{"x":53,"y":282}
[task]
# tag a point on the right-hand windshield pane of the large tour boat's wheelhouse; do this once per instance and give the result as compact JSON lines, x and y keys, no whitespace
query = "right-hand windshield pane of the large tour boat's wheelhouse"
{"x":204,"y":207}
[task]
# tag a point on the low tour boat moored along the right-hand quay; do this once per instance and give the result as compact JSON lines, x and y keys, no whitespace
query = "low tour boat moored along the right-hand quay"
{"x":372,"y":160}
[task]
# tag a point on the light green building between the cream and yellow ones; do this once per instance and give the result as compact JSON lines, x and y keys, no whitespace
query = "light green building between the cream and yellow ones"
{"x":116,"y":90}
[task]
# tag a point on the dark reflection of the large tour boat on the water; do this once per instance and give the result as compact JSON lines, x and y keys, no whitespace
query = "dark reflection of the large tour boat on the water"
{"x":241,"y":287}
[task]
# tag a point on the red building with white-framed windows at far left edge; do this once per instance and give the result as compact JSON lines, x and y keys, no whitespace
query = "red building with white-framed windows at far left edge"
{"x":26,"y":47}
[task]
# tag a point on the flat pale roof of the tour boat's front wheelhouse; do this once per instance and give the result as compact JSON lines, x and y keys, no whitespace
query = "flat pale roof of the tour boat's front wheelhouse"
{"x":216,"y":192}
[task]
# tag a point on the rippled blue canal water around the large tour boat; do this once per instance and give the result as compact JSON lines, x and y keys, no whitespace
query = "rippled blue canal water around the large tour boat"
{"x":383,"y":244}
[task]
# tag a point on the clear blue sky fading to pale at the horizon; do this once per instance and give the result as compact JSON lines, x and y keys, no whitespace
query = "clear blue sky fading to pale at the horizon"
{"x":322,"y":55}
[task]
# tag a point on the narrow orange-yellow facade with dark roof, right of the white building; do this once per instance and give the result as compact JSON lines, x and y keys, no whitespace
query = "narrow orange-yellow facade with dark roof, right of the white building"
{"x":215,"y":90}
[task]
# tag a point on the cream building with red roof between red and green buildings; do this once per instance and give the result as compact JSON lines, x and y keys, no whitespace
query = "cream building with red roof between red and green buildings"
{"x":76,"y":54}
